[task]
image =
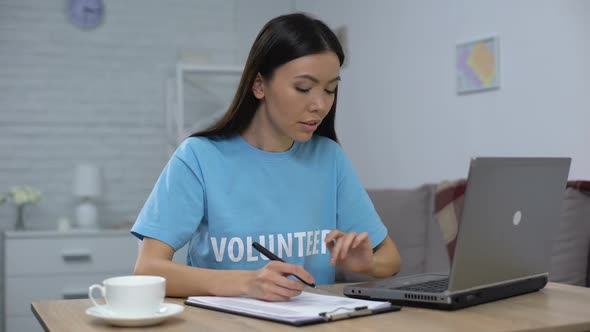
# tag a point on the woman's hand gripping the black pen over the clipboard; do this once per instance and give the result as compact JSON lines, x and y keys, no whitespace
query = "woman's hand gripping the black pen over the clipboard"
{"x":271,"y":283}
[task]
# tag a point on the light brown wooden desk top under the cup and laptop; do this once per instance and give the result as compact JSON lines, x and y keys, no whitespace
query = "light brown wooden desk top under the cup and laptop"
{"x":557,"y":307}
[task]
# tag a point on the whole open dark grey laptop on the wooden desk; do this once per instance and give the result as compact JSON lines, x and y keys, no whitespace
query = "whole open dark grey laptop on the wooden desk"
{"x":510,"y":215}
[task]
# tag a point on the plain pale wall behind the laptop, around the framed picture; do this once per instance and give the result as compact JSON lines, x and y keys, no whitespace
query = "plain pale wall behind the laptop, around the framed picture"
{"x":400,"y":119}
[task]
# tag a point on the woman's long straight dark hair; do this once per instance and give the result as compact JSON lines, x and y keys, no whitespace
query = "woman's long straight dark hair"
{"x":281,"y":40}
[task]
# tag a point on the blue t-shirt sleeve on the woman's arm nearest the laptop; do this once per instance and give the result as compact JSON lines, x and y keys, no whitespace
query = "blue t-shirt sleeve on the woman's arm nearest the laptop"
{"x":355,"y":211}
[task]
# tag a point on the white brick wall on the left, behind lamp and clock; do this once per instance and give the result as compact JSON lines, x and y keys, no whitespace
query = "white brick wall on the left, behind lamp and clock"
{"x":70,"y":95}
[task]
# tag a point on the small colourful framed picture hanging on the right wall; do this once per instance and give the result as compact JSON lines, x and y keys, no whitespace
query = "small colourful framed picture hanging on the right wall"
{"x":478,"y":66}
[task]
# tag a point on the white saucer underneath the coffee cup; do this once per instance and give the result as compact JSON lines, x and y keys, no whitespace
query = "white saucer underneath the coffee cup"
{"x":166,"y":310}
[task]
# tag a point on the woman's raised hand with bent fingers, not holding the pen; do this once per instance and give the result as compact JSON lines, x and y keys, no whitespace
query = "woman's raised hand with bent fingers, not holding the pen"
{"x":352,"y":252}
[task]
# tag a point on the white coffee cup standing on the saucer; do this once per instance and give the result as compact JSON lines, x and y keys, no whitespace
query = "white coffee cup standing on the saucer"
{"x":131,"y":296}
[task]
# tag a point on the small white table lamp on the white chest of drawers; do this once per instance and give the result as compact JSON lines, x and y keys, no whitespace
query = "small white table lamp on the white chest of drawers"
{"x":87,"y":188}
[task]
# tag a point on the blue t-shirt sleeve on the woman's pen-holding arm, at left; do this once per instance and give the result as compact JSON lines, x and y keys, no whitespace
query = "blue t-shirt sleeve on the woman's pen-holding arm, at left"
{"x":175,"y":207}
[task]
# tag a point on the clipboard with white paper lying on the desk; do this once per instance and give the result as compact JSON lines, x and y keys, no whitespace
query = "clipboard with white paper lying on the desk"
{"x":286,"y":313}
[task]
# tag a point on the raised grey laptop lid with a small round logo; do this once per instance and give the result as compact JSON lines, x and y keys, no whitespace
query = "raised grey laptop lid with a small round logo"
{"x":511,"y":212}
